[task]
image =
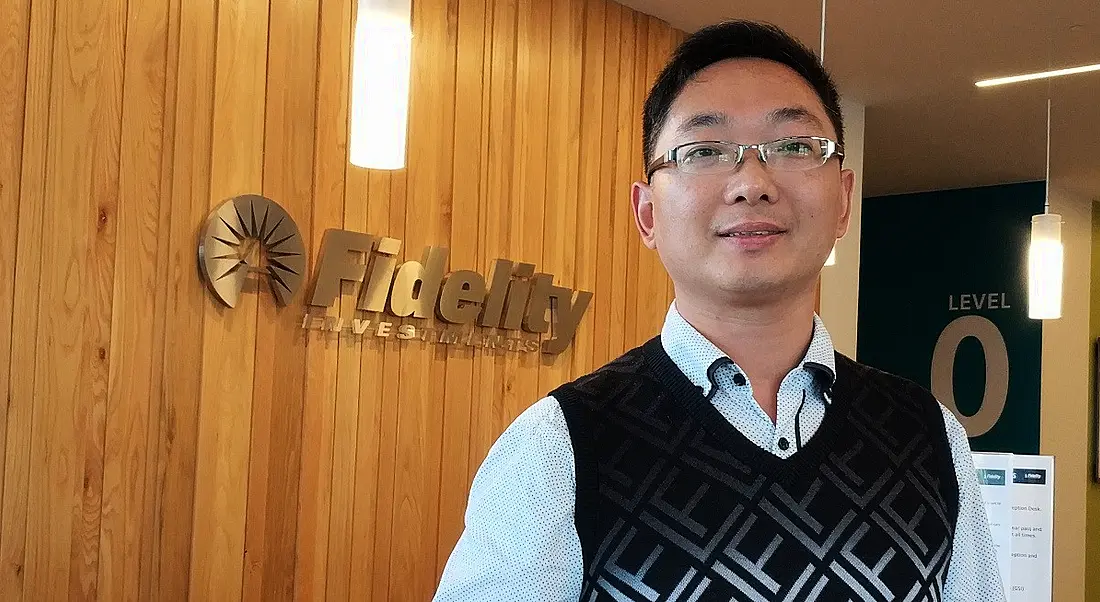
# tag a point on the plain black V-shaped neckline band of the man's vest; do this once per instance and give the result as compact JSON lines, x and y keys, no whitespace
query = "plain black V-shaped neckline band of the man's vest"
{"x":699,"y":408}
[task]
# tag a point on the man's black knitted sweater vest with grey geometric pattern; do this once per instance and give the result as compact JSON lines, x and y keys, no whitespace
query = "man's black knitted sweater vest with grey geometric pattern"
{"x":674,"y":504}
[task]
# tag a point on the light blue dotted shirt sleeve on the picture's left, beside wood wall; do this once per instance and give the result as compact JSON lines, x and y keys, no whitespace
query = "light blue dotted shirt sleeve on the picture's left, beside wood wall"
{"x":521,"y":542}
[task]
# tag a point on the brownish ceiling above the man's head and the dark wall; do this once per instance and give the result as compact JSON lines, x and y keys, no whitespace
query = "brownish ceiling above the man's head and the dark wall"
{"x":914,"y":64}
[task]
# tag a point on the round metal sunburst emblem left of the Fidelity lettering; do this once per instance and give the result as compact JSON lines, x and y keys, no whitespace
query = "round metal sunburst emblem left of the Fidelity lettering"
{"x":251,"y":235}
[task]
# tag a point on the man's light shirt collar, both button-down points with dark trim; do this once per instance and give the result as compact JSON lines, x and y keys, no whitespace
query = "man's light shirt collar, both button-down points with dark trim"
{"x":695,"y":355}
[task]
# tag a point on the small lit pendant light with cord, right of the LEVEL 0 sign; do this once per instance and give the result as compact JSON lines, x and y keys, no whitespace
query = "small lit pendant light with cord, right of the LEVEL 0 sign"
{"x":1046,"y":254}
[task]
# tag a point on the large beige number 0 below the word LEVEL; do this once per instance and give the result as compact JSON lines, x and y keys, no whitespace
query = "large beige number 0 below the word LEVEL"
{"x":997,"y":371}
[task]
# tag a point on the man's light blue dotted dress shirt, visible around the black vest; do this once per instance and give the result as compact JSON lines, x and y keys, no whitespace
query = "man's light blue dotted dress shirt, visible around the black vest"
{"x":521,"y":543}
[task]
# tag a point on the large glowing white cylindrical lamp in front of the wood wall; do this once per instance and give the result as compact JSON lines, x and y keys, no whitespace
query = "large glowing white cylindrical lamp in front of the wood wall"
{"x":381,"y":63}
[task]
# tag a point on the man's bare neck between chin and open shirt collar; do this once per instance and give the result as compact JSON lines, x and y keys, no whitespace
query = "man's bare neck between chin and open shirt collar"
{"x":766,"y":342}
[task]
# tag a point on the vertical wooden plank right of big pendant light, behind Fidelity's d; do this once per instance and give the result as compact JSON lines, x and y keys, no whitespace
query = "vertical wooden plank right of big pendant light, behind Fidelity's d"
{"x":423,"y":367}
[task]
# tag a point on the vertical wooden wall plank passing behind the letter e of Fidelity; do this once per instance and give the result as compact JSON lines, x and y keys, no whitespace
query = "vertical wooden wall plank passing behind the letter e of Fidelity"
{"x":466,"y":255}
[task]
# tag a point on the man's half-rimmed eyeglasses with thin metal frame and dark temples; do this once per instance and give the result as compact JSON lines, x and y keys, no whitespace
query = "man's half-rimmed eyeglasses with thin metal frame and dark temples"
{"x":786,"y":155}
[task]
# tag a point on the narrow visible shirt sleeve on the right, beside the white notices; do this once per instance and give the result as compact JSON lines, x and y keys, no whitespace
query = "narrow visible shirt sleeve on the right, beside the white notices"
{"x":974,"y":575}
